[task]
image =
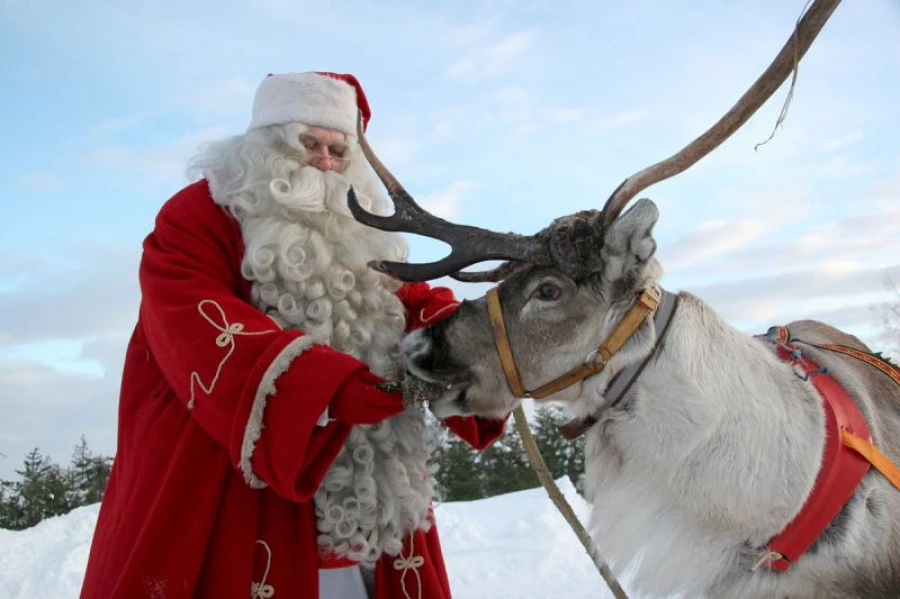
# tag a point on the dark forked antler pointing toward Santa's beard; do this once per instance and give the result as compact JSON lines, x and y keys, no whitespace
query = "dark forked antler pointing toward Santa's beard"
{"x":469,"y":245}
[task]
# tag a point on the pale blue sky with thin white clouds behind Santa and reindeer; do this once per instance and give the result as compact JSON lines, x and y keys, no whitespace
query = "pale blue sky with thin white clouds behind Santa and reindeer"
{"x":501,"y":114}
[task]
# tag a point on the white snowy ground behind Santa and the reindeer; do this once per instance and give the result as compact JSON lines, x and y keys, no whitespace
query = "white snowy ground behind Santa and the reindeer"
{"x":514,"y":545}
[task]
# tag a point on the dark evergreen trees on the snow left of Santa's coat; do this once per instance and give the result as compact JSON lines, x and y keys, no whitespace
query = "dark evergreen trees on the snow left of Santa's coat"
{"x":46,"y":489}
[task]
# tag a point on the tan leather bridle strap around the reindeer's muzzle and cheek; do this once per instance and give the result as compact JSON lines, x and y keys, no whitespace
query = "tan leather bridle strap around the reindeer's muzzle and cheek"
{"x":623,"y":331}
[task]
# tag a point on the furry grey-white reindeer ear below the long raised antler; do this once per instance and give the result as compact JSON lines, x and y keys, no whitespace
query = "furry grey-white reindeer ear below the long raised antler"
{"x":628,"y":246}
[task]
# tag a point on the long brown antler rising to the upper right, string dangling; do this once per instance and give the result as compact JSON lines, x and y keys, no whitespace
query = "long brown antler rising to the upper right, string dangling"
{"x":806,"y":30}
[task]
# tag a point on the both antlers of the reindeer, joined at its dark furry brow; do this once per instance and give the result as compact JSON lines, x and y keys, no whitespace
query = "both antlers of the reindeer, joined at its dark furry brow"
{"x":570,"y":243}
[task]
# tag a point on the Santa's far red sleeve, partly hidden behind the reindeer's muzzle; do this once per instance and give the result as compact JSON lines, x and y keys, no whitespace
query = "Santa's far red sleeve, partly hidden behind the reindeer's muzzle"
{"x":426,"y":305}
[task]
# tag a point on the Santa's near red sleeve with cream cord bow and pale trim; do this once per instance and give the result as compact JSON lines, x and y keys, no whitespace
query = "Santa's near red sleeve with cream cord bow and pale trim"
{"x":255,"y":389}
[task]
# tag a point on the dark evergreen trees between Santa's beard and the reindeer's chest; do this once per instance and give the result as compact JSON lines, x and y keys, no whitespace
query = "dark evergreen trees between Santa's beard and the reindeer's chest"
{"x":465,"y":474}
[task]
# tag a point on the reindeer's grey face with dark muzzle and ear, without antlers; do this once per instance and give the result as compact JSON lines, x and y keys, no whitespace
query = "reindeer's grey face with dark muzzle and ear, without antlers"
{"x":554,"y":323}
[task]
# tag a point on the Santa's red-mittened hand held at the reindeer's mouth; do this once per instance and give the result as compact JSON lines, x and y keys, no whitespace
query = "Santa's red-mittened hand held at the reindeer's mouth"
{"x":361,"y":401}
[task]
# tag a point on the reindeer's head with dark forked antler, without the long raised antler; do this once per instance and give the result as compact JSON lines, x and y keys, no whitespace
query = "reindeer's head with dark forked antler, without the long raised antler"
{"x":563,"y":291}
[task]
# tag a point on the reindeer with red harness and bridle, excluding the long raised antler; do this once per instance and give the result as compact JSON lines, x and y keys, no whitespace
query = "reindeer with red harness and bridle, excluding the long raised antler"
{"x":717,"y":464}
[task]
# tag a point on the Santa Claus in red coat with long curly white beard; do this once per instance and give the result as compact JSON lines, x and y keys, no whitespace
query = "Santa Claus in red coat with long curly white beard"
{"x":258,"y":456}
